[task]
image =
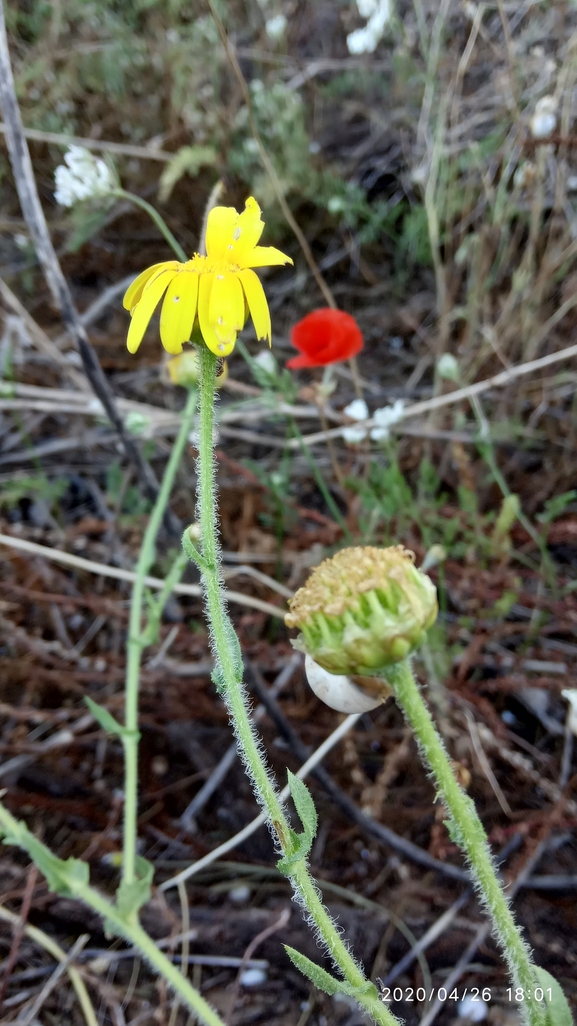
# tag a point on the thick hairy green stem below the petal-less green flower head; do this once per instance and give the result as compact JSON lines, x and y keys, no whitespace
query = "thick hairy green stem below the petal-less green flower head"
{"x":471,"y":836}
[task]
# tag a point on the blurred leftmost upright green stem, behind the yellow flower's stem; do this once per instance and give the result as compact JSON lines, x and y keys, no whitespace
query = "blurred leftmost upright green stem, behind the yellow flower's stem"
{"x":138,"y":640}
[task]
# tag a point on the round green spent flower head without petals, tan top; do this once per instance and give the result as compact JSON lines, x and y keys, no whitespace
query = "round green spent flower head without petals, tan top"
{"x":364,"y":610}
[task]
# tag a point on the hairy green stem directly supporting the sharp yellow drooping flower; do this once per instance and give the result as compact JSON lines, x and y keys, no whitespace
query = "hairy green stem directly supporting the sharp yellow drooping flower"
{"x":228,"y":678}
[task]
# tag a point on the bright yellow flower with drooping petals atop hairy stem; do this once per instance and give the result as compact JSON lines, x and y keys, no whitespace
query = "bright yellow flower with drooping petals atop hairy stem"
{"x":220,"y":289}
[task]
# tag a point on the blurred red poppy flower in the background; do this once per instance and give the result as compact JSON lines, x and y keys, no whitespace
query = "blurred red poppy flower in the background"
{"x":325,"y":337}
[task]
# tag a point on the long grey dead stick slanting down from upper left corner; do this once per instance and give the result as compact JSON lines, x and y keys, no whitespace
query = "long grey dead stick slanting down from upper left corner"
{"x":34,"y":217}
